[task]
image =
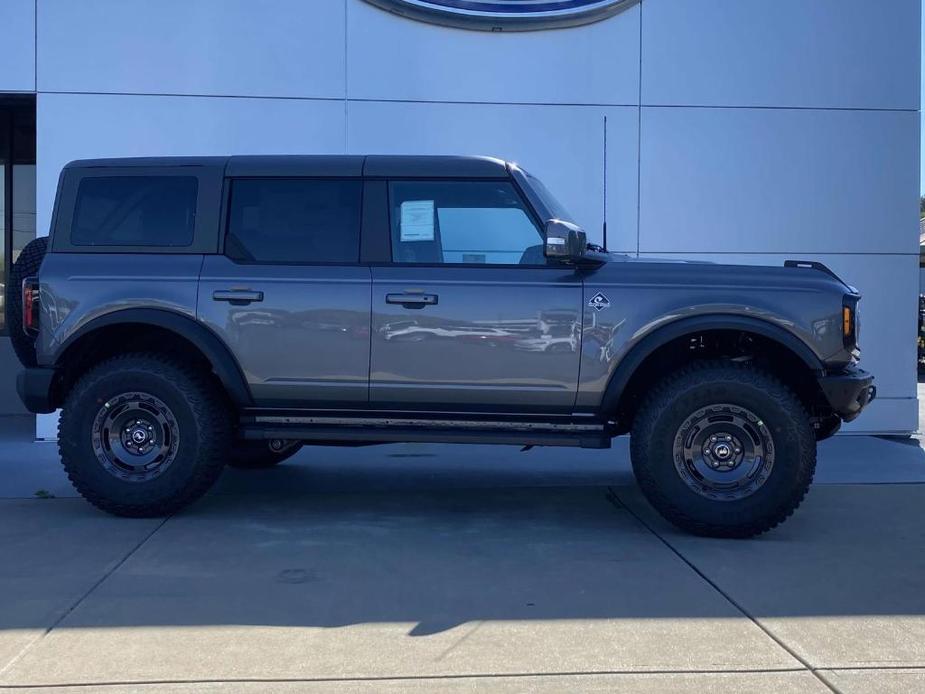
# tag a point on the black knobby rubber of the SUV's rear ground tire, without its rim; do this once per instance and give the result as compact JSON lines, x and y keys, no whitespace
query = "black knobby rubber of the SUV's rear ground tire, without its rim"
{"x":204,"y":434}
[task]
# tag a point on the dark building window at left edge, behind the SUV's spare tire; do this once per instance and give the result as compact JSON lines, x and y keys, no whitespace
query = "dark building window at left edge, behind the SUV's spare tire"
{"x":17,"y":184}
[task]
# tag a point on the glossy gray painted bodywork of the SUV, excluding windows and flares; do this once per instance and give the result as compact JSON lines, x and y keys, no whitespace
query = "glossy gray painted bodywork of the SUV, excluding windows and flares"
{"x":515,"y":339}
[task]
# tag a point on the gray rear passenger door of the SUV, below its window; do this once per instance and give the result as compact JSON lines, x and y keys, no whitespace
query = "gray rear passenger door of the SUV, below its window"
{"x":306,"y":342}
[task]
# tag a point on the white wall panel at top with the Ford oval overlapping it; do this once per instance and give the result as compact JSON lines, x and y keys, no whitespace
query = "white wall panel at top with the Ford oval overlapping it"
{"x":392,"y":58}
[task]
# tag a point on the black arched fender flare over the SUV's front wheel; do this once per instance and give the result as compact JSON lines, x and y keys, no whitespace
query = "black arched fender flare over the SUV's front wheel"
{"x":664,"y":334}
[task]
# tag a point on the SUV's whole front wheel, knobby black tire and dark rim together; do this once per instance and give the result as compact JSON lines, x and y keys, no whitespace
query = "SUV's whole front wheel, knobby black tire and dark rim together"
{"x":723,"y":450}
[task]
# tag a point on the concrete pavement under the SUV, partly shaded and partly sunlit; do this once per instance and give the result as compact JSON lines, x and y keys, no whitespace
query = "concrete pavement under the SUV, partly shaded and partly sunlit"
{"x":435,"y":568}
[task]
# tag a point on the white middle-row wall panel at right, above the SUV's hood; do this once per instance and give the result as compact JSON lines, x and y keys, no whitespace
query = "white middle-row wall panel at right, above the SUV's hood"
{"x":781,"y":181}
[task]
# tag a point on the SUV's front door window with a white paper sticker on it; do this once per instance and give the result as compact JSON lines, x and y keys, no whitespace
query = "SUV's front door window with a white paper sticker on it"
{"x":468,"y":222}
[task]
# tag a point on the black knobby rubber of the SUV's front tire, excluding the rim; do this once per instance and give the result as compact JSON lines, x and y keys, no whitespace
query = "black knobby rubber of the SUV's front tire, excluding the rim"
{"x":700,"y":385}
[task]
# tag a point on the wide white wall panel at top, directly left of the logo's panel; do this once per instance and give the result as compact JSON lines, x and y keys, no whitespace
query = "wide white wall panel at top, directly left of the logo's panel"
{"x":287,"y":48}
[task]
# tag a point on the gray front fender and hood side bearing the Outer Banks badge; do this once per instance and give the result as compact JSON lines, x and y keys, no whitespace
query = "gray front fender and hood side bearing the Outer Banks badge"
{"x":646,"y":295}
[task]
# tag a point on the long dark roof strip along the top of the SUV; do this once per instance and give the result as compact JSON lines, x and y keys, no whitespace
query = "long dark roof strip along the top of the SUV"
{"x":373,"y":165}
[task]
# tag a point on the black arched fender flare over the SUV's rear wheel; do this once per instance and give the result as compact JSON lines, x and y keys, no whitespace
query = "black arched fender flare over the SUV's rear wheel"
{"x":223,"y":362}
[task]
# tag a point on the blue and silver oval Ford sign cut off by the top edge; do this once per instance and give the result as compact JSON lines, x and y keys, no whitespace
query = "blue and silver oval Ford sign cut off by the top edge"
{"x":506,"y":15}
